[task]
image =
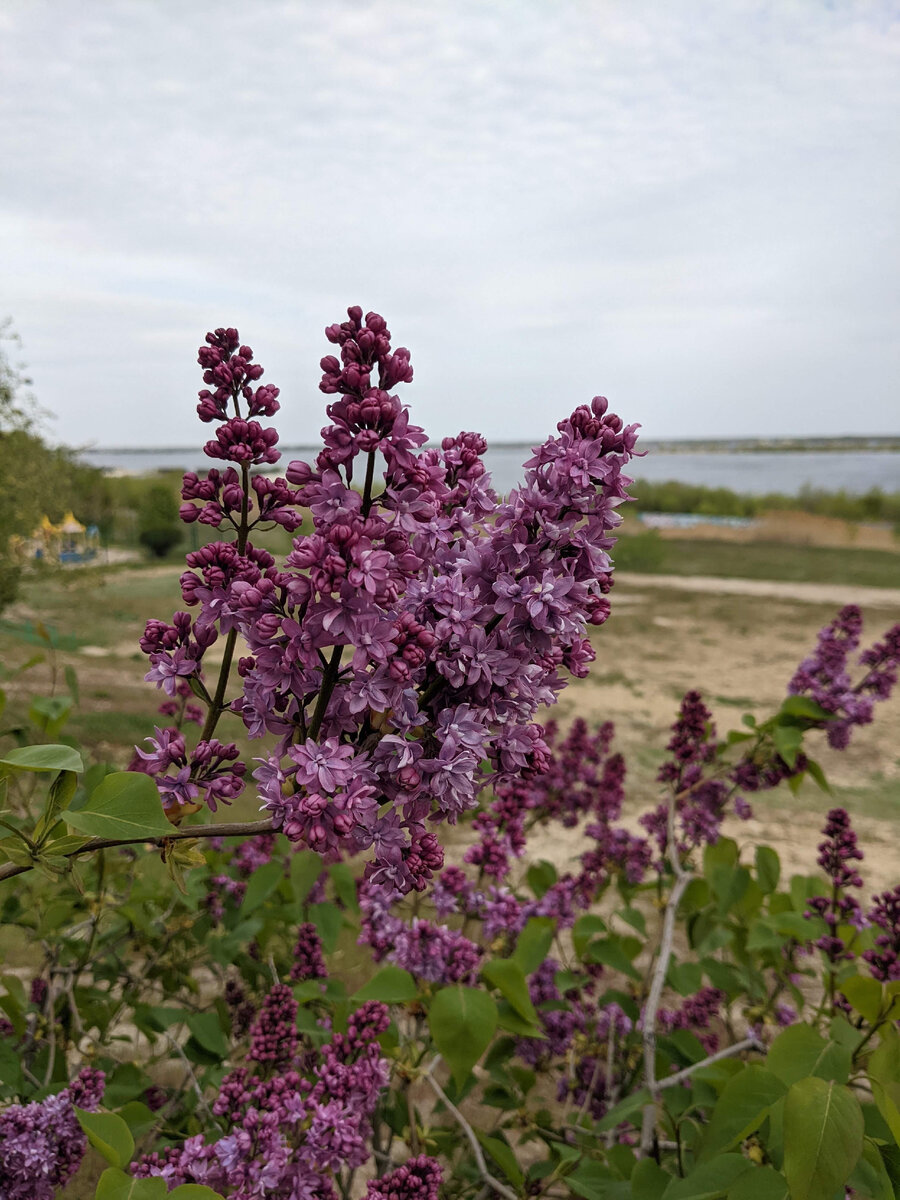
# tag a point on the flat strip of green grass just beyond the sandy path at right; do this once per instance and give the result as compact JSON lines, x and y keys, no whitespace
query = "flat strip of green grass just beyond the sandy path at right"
{"x":759,"y":561}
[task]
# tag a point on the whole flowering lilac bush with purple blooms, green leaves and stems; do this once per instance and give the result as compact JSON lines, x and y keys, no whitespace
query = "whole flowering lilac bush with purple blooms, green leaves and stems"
{"x":631,"y":1024}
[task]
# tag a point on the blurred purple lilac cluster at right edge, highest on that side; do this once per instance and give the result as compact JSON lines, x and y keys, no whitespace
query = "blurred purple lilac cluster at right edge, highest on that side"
{"x":825,"y":675}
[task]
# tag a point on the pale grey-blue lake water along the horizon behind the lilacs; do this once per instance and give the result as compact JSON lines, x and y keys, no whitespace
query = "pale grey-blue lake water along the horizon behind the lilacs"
{"x":754,"y":473}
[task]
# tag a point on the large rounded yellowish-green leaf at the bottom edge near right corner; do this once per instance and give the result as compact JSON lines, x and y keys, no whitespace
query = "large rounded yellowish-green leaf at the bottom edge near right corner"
{"x":824,"y":1138}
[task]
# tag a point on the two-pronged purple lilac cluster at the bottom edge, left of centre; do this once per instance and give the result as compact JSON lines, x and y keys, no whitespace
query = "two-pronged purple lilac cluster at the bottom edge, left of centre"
{"x":289,"y":1135}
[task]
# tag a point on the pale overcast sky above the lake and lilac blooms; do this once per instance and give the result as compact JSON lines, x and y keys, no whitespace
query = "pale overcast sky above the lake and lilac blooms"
{"x":689,"y":207}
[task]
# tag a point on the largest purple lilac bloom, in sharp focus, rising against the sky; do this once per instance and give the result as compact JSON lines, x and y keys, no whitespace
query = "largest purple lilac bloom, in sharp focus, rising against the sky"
{"x":401,"y":653}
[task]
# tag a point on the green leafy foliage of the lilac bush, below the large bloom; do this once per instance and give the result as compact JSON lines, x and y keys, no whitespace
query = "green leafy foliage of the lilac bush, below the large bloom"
{"x":805,"y":1112}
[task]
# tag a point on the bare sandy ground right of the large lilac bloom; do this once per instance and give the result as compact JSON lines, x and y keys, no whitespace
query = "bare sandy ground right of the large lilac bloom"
{"x":739,"y":643}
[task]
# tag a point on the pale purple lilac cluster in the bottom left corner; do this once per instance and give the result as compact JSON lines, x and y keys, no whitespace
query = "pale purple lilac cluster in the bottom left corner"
{"x":43,"y":1144}
